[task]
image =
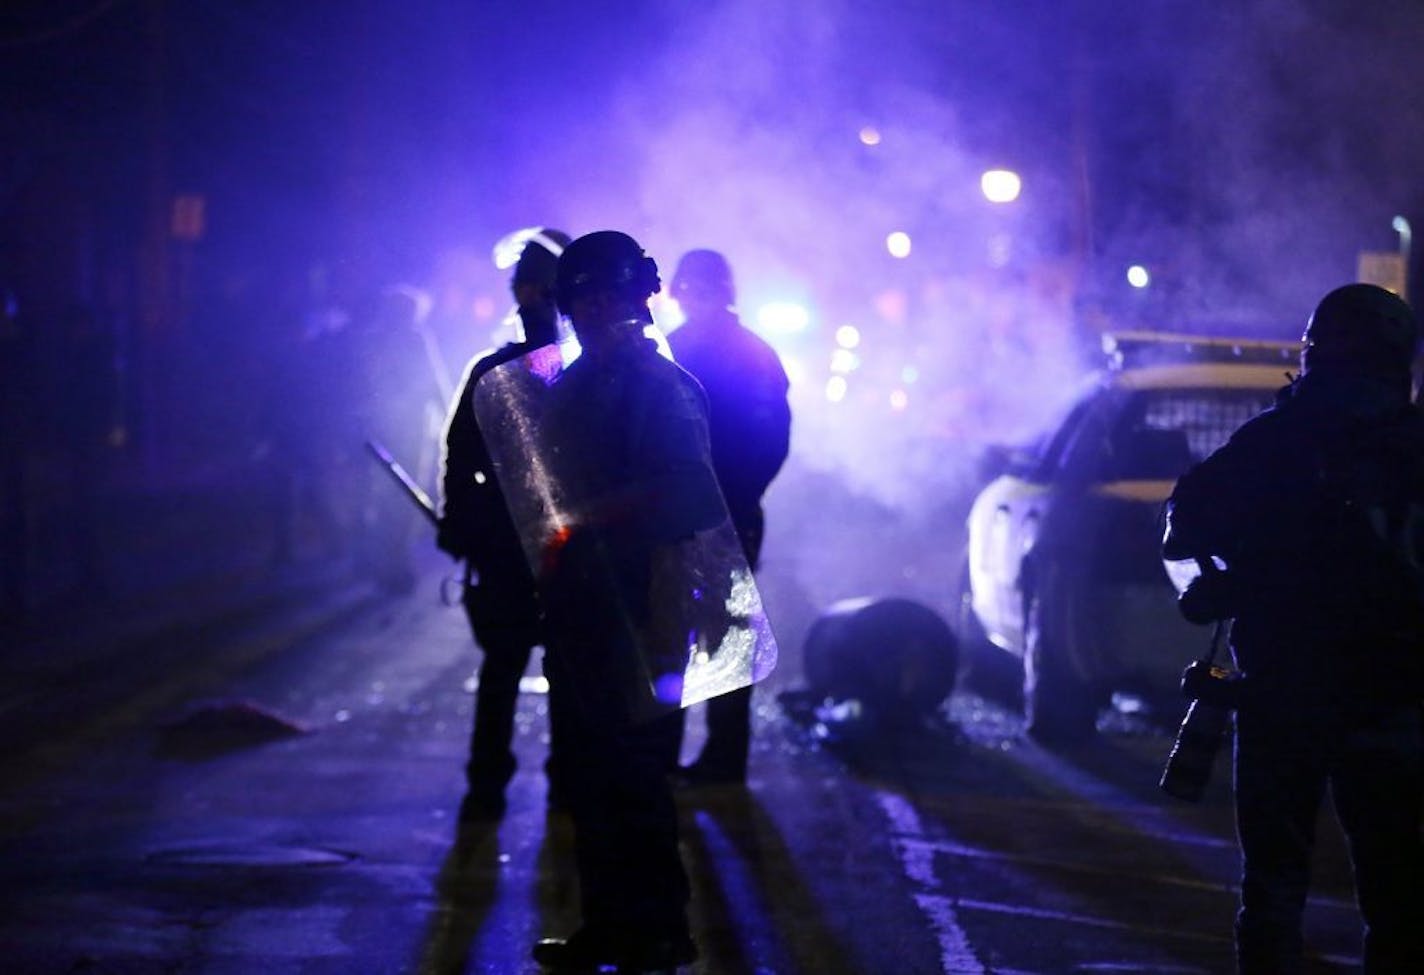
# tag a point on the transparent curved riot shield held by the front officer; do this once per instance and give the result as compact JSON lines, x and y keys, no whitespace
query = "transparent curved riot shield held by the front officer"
{"x":649,"y":594}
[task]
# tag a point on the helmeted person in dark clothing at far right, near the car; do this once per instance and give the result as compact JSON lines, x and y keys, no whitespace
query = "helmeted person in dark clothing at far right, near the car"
{"x":1316,"y":510}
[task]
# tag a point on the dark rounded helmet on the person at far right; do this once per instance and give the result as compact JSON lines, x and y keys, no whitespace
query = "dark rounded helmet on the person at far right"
{"x":1365,"y":328}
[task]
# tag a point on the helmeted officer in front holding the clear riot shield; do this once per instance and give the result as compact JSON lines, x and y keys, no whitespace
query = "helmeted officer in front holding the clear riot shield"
{"x":636,"y":478}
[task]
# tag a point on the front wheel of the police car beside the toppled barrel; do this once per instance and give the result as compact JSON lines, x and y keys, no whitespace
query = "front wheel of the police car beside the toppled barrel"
{"x":1060,"y":707}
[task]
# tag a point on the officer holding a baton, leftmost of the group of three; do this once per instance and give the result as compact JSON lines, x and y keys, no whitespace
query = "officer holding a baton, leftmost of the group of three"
{"x":475,"y":526}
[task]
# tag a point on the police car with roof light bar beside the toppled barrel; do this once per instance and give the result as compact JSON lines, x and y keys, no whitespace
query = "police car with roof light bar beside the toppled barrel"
{"x":1063,"y":566}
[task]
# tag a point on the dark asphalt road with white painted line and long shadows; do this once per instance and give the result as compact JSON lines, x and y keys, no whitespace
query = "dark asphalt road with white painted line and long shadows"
{"x":327,"y":843}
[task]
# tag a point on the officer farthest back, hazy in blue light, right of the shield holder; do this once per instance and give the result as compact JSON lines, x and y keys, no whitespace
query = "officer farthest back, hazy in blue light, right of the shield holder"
{"x":750,"y":422}
